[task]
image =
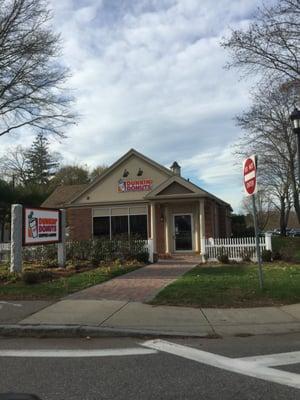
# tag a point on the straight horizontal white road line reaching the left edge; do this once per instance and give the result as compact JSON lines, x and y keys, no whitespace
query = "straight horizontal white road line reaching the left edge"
{"x":133,"y":351}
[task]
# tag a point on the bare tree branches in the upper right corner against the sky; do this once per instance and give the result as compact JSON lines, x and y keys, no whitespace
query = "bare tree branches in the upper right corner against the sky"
{"x":271,"y":44}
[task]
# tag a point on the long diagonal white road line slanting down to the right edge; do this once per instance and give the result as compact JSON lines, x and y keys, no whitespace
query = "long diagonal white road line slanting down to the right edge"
{"x":237,"y":365}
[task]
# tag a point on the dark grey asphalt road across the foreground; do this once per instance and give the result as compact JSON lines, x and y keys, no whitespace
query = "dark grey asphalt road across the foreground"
{"x":82,"y":374}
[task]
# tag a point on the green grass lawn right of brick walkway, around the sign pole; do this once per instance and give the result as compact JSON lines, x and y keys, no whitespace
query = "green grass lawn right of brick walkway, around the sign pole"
{"x":233,"y":286}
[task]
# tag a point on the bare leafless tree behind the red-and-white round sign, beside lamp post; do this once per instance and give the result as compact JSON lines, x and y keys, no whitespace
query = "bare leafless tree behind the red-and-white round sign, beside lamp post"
{"x":268,"y":133}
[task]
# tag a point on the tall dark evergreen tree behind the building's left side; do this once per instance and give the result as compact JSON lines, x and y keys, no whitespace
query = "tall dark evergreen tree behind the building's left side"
{"x":41,"y":163}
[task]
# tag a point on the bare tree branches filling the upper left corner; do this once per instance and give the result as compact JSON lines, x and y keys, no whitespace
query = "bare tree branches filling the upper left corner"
{"x":32,"y":91}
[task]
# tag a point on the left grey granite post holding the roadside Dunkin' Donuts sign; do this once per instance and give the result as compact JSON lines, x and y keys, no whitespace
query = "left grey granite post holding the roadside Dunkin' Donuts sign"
{"x":16,"y":238}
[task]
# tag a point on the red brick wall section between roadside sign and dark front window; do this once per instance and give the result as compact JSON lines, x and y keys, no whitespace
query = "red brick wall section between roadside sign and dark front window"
{"x":79,"y":221}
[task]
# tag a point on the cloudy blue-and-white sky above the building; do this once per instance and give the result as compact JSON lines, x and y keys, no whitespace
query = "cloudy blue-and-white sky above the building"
{"x":149,"y":75}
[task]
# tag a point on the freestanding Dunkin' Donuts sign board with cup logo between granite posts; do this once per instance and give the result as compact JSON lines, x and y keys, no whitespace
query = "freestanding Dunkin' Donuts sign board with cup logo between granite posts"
{"x":41,"y":226}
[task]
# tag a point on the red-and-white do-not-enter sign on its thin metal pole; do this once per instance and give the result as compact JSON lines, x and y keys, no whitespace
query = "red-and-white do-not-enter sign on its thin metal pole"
{"x":250,"y":185}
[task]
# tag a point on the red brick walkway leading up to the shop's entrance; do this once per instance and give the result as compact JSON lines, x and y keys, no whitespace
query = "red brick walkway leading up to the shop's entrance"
{"x":140,"y":285}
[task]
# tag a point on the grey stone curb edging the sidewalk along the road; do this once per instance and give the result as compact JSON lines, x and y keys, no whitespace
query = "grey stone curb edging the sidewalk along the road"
{"x":73,"y":331}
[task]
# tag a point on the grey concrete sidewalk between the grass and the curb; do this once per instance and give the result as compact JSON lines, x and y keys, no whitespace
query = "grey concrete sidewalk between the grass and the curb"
{"x":136,"y":318}
